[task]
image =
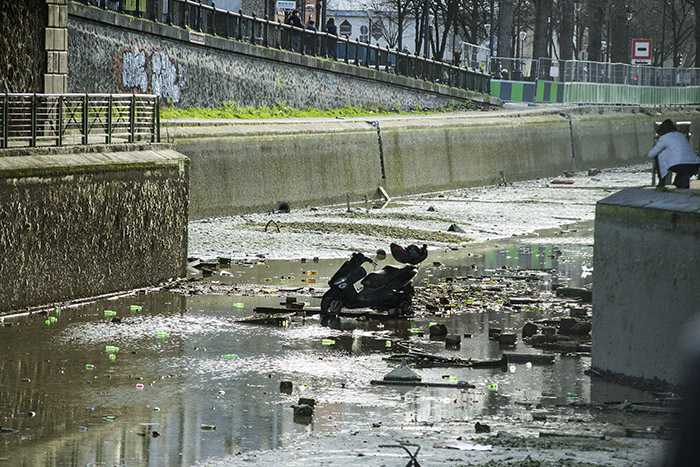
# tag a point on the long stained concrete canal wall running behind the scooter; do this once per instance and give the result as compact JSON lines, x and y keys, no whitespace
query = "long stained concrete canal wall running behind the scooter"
{"x":250,"y":166}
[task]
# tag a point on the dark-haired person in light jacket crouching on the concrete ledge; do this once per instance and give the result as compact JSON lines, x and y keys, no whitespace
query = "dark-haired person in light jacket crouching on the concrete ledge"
{"x":674,"y":154}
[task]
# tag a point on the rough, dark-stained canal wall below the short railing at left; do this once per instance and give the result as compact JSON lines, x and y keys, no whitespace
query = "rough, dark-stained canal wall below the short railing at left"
{"x":84,"y":224}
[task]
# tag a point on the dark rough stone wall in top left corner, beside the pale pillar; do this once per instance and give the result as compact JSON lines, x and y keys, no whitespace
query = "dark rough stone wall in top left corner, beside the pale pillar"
{"x":22,"y":57}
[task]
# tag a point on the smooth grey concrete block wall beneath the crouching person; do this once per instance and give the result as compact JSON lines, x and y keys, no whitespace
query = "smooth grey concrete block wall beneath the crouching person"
{"x":645,"y":293}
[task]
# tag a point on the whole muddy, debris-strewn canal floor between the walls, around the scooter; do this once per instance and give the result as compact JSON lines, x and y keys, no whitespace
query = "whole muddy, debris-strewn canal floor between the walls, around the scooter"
{"x":172,"y":376}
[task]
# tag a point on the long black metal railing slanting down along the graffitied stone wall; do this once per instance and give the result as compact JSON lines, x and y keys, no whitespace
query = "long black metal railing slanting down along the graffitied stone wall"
{"x":262,"y":31}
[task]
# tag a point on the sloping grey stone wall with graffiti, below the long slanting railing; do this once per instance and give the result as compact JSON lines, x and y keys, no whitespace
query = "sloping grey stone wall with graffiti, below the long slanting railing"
{"x":112,"y":53}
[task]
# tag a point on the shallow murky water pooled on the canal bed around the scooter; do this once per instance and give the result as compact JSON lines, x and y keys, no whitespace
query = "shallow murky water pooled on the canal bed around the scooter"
{"x":178,"y":380}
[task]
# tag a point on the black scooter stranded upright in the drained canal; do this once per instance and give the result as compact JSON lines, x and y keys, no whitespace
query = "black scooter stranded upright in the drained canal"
{"x":389,"y":290}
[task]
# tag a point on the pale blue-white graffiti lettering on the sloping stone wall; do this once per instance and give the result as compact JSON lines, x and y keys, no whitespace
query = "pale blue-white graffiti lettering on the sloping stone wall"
{"x":136,"y":70}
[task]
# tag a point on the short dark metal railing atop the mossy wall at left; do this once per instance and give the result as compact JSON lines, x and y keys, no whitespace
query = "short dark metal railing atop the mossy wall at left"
{"x":30,"y":120}
